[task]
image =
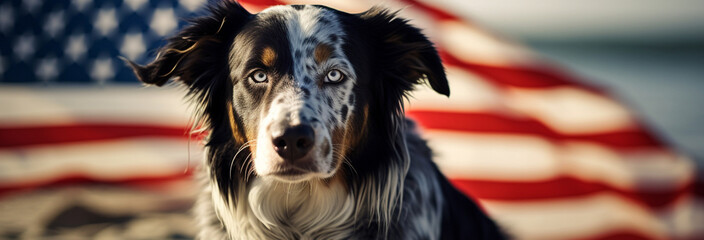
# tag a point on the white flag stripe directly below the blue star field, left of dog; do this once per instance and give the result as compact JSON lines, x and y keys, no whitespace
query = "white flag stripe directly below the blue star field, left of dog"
{"x":36,"y":106}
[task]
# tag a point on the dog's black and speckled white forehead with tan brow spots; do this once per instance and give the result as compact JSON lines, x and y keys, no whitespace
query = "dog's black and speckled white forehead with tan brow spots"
{"x":311,"y":36}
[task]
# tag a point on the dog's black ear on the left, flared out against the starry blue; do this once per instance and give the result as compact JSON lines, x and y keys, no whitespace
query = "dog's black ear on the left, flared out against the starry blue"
{"x":197,"y":49}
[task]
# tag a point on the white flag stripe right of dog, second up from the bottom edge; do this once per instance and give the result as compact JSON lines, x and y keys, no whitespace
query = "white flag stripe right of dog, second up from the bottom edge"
{"x":529,"y":158}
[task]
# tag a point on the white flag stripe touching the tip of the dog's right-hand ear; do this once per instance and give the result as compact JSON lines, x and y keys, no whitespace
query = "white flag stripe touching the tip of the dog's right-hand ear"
{"x":566,"y":110}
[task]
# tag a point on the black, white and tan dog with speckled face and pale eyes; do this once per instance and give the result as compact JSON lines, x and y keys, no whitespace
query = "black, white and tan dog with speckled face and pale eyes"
{"x":307,"y":134}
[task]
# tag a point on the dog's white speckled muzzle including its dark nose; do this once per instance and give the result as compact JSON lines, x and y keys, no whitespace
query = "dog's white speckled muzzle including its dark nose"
{"x":290,"y":146}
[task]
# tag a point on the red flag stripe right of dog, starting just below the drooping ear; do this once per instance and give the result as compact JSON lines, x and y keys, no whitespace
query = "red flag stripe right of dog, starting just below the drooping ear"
{"x":493,"y":123}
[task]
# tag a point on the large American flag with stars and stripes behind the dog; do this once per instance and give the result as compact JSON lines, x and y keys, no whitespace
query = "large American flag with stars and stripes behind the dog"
{"x":548,"y":155}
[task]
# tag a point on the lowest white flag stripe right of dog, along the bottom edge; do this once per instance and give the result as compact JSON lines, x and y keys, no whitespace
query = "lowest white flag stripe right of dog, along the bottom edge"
{"x":571,"y":218}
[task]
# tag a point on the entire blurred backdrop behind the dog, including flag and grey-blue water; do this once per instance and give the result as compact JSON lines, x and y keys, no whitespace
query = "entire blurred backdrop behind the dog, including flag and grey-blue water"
{"x":568,"y":119}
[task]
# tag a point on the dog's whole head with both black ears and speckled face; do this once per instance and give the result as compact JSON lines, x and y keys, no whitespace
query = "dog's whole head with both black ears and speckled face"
{"x":297,"y":89}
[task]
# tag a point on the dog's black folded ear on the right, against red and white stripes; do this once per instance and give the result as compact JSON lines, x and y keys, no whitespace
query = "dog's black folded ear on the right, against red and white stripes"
{"x":402,"y":52}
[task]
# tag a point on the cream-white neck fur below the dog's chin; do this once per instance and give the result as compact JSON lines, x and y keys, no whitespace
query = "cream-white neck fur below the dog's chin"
{"x":274,"y":210}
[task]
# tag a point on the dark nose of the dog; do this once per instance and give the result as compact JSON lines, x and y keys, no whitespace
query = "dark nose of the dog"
{"x":295,"y":142}
